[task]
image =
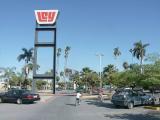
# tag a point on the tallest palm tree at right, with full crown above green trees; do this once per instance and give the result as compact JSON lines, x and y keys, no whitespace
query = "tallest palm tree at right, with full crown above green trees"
{"x":139,"y":51}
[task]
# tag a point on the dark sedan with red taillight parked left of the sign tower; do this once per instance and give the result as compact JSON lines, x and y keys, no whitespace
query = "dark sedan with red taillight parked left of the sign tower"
{"x":19,"y":96}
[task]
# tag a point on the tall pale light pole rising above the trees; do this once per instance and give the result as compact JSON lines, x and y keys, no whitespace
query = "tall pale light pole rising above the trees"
{"x":100,"y":55}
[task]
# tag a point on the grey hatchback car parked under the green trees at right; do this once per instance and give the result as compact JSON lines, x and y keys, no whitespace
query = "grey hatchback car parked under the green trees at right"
{"x":130,"y":98}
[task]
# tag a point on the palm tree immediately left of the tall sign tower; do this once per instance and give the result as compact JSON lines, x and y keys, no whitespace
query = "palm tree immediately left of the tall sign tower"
{"x":27,"y":56}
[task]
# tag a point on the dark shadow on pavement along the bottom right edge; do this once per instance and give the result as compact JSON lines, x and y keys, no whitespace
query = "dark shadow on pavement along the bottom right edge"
{"x":149,"y":116}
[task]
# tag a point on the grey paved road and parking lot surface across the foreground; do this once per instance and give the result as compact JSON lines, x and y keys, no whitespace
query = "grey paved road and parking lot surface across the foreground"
{"x":63,"y":108}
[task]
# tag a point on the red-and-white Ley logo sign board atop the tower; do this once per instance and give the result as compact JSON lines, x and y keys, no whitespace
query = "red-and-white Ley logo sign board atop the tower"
{"x":46,"y":16}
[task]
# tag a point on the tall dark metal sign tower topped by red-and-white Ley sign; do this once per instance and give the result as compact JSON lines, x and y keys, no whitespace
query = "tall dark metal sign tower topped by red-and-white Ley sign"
{"x":45,"y":22}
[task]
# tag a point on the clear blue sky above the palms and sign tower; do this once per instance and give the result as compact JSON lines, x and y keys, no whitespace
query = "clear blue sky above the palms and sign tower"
{"x":88,"y":26}
